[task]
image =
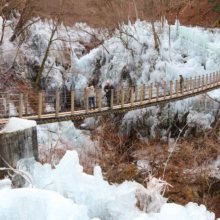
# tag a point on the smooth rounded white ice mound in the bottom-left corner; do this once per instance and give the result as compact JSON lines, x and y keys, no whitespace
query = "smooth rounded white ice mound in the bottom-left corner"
{"x":35,"y":204}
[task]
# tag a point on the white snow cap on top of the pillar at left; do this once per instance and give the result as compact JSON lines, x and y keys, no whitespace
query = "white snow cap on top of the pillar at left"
{"x":17,"y":124}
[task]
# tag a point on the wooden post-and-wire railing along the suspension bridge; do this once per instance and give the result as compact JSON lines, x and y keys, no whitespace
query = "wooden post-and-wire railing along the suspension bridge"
{"x":57,"y":102}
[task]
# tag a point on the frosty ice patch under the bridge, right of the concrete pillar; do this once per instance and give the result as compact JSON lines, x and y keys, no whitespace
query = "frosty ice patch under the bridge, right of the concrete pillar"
{"x":63,"y":135}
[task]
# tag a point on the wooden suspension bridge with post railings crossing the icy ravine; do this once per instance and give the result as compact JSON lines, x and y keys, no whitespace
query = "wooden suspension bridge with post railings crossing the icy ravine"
{"x":62,"y":105}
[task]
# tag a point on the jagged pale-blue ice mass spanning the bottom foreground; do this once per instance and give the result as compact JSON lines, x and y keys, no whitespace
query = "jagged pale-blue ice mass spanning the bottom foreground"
{"x":88,"y":196}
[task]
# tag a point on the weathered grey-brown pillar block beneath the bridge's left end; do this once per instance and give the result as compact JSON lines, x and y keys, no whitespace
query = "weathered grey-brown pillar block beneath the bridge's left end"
{"x":17,"y":145}
